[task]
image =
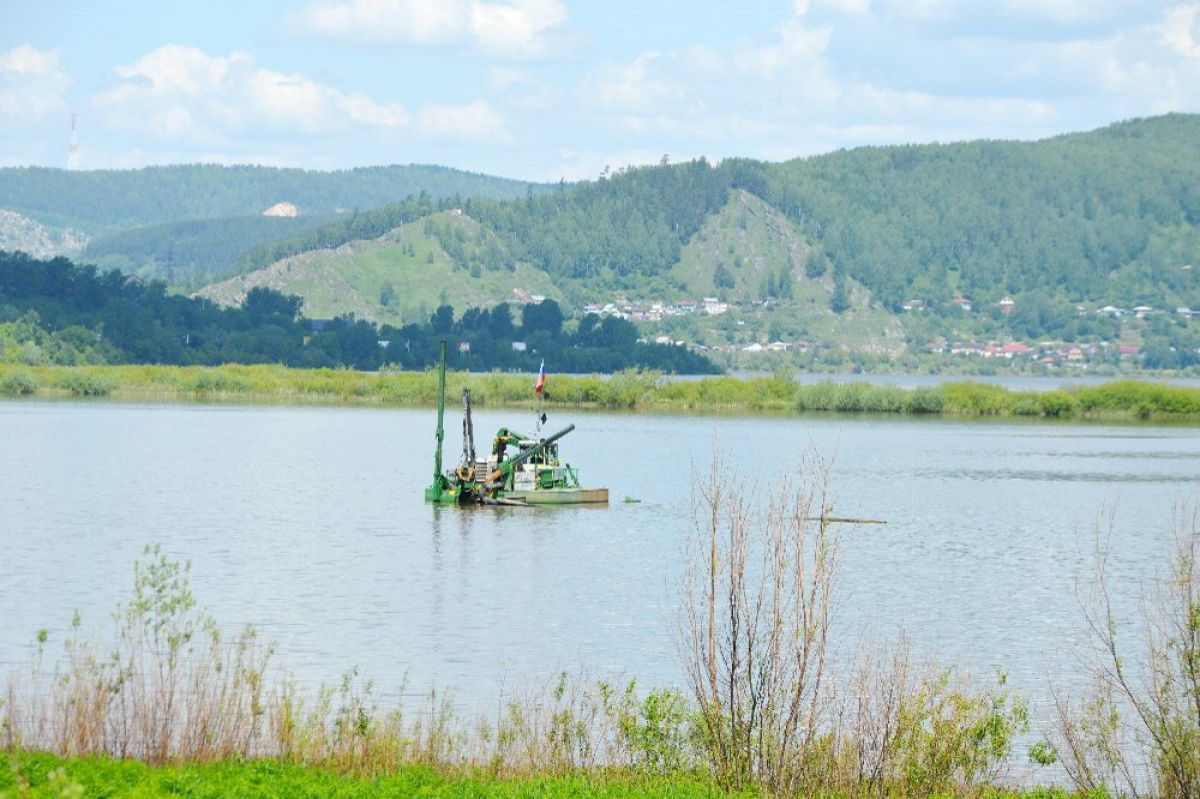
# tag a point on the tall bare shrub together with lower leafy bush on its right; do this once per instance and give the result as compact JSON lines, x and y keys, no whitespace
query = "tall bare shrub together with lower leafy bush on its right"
{"x":757,"y":635}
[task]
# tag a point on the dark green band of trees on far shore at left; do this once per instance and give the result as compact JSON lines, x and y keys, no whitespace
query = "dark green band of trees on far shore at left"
{"x":106,"y":317}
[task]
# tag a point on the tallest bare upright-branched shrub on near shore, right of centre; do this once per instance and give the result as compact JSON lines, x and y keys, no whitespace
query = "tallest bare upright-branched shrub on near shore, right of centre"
{"x":755,"y":630}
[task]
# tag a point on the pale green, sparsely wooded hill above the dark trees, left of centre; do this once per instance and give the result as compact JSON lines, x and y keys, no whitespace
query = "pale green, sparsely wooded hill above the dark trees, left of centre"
{"x":400,"y":278}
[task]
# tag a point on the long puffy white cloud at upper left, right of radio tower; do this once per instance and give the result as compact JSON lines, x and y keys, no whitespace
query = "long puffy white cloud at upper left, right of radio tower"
{"x":182,"y":93}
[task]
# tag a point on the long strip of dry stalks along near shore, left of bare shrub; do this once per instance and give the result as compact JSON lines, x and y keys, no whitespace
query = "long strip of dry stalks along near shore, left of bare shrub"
{"x":170,"y":688}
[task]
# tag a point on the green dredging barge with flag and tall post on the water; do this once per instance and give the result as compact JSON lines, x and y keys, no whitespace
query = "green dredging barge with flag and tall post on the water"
{"x":518,"y":471}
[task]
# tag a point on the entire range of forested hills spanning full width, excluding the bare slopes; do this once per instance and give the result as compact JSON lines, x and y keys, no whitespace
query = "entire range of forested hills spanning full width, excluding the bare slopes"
{"x":1109,"y":217}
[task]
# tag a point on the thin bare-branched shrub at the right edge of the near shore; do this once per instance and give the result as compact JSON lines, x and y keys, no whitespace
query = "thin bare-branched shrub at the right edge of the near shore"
{"x":1139,"y":728}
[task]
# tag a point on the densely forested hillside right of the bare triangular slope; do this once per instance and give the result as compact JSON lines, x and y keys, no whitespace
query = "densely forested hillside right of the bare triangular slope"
{"x":1108,"y":215}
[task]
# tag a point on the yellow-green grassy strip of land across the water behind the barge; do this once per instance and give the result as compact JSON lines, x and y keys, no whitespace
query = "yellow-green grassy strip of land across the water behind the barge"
{"x":626,"y":391}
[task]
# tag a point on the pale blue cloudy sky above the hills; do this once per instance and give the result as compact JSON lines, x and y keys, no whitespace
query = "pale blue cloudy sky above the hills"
{"x":549,"y":89}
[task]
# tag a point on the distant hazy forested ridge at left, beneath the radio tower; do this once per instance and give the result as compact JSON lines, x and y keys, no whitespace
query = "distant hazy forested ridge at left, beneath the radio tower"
{"x":111,"y":201}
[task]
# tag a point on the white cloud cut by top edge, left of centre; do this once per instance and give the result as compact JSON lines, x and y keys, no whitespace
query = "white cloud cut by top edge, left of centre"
{"x":511,"y":29}
